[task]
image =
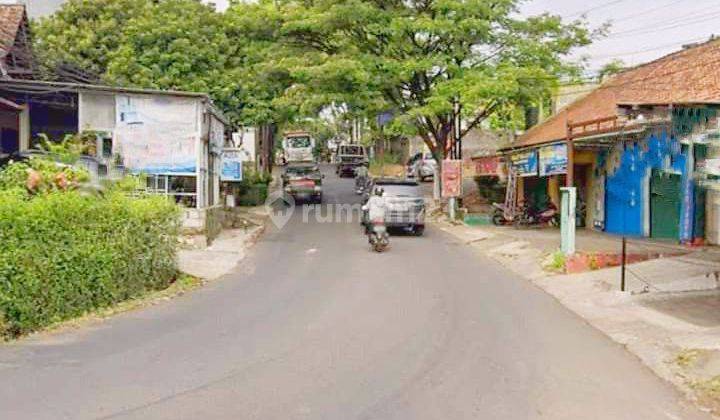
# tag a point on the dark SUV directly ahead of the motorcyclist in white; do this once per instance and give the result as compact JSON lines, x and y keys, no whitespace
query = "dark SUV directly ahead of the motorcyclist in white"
{"x":406,"y":205}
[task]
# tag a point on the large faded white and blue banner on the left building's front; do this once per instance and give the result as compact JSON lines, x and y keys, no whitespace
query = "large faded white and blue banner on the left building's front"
{"x":157,"y":135}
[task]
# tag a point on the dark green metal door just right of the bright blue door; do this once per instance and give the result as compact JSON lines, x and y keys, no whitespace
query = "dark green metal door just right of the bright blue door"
{"x":665,"y":202}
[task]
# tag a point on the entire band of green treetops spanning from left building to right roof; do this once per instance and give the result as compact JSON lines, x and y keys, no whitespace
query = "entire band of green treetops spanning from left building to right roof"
{"x":275,"y":61}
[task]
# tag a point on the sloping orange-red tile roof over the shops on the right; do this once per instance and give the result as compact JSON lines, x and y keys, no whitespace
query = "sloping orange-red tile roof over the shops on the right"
{"x":686,"y":76}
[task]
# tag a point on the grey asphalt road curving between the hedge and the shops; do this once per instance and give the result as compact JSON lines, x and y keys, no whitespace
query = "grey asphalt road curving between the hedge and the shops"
{"x":315,"y":326}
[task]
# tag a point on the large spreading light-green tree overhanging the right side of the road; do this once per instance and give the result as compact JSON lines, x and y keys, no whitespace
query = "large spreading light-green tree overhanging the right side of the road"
{"x":415,"y":57}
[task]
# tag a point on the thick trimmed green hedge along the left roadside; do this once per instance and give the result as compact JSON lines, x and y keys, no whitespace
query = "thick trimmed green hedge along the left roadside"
{"x":64,"y":253}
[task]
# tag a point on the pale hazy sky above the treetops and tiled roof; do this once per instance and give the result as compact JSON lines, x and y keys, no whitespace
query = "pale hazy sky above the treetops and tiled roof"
{"x":641,"y":31}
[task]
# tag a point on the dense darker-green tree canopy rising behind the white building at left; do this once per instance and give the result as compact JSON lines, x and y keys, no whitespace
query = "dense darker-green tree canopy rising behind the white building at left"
{"x":170,"y":44}
